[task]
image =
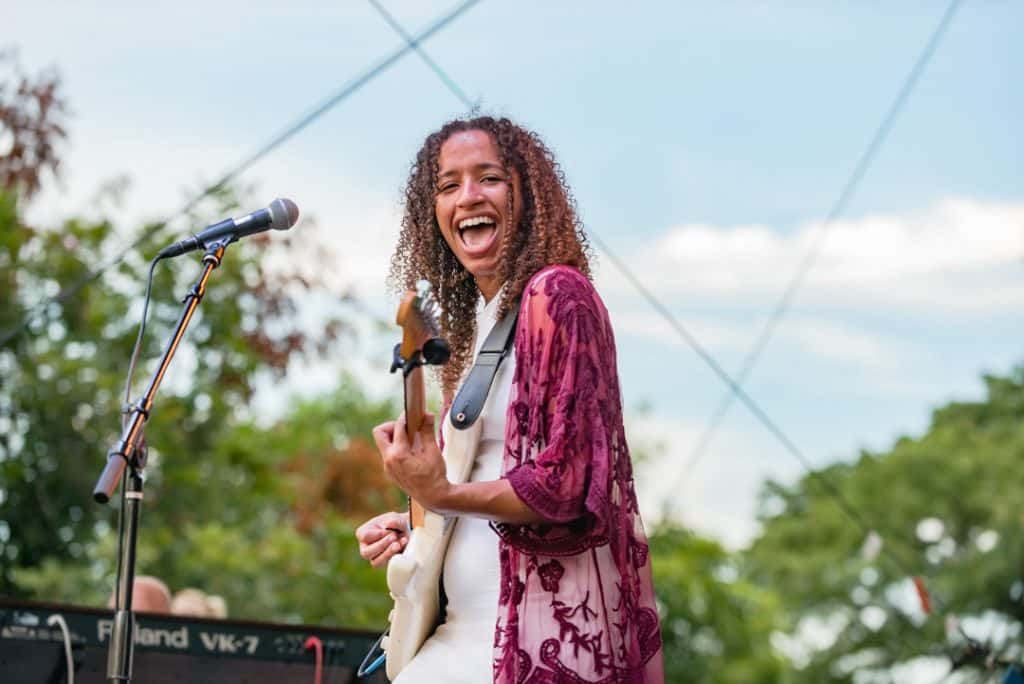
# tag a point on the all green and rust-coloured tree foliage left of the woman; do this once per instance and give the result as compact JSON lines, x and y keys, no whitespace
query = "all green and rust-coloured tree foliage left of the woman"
{"x":264,"y":517}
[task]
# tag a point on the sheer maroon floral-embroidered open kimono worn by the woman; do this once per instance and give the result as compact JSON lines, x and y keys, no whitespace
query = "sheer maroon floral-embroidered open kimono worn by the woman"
{"x":577,"y":603}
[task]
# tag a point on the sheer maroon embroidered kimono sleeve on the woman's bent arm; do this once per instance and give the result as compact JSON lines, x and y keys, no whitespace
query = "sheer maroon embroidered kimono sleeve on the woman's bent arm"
{"x":566,"y":413}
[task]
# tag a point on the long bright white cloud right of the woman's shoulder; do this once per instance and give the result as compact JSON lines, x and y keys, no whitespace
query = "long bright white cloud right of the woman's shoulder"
{"x":959,"y":258}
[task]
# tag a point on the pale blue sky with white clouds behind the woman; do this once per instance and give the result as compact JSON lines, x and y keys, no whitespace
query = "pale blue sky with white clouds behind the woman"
{"x":705,"y":143}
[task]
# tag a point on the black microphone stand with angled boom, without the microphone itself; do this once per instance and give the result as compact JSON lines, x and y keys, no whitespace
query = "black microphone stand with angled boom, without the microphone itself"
{"x":130,"y":454}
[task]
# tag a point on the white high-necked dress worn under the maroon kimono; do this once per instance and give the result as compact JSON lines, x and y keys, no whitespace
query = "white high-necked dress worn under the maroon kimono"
{"x":461,"y":651}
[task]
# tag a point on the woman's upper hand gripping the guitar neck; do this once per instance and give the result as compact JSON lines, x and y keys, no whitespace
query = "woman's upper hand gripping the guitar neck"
{"x":418,"y":467}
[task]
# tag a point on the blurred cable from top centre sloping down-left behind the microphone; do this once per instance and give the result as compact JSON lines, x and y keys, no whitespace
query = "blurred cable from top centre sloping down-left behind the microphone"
{"x":347,"y":91}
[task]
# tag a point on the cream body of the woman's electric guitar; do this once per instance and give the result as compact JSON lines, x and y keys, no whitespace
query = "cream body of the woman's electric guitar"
{"x":414,"y":576}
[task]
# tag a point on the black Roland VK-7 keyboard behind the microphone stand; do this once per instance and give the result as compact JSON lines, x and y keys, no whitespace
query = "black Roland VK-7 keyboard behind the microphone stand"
{"x":172,"y":649}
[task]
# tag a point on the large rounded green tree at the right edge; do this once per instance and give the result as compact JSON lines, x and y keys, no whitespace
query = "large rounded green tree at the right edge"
{"x":946,"y":507}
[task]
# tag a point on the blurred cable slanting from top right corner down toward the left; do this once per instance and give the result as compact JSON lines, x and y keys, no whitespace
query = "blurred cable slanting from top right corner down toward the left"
{"x":754,"y":355}
